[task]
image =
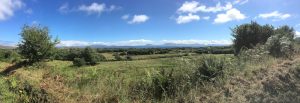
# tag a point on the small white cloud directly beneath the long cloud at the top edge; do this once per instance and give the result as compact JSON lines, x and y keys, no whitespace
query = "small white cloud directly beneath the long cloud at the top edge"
{"x":187,"y":18}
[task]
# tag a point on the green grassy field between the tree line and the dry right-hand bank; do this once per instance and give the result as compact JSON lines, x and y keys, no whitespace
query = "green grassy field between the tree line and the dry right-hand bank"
{"x":134,"y":81}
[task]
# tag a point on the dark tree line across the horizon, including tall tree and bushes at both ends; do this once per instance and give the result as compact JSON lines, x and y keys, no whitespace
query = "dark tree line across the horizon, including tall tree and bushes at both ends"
{"x":37,"y":45}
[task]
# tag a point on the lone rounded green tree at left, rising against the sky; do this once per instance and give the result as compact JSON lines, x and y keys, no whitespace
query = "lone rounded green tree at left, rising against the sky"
{"x":36,"y":44}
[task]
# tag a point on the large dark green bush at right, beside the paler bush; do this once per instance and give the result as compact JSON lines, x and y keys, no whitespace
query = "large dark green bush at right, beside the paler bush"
{"x":249,"y":35}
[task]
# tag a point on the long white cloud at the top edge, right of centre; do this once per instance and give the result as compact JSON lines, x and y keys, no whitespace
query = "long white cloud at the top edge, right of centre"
{"x":194,"y":7}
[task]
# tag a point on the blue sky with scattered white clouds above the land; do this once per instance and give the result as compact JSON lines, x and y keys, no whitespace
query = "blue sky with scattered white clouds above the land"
{"x":142,"y":22}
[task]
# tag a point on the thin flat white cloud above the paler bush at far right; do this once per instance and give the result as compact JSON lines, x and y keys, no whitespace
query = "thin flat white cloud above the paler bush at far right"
{"x":275,"y":15}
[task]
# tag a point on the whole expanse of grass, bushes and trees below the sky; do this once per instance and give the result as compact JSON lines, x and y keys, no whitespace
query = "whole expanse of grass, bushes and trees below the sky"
{"x":259,"y":72}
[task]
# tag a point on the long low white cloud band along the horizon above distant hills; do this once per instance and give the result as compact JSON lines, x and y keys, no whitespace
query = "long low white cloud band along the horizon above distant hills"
{"x":142,"y":42}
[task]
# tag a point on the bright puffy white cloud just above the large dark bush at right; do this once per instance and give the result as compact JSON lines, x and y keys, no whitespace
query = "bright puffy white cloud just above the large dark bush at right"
{"x":230,"y":15}
